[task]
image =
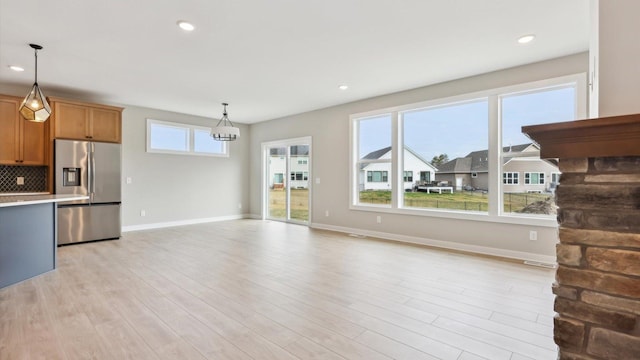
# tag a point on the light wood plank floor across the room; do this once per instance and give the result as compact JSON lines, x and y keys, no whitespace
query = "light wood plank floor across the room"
{"x":250,"y":289}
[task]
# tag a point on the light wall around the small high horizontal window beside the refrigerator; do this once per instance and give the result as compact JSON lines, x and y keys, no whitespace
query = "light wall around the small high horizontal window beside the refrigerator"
{"x":179,"y":188}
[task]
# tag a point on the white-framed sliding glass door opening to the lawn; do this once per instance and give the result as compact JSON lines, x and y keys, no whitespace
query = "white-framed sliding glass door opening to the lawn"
{"x":287,"y":166}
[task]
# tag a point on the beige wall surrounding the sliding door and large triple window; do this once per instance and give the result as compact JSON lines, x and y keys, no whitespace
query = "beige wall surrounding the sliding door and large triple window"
{"x":330,"y":131}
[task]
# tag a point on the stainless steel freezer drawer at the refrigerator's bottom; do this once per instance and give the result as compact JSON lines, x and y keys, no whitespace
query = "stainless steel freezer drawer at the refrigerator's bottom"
{"x":80,"y":223}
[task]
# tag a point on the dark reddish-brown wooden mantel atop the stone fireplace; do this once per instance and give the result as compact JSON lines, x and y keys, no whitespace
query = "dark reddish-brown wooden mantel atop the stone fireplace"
{"x":601,"y":137}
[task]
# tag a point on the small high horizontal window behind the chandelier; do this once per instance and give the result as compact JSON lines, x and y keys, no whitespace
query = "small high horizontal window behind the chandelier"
{"x":176,"y":138}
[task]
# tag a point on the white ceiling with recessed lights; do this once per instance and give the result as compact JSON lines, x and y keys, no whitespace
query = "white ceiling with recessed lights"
{"x":271,"y":58}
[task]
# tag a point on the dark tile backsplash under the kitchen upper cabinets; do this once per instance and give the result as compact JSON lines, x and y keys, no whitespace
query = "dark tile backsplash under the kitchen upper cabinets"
{"x":35,"y":179}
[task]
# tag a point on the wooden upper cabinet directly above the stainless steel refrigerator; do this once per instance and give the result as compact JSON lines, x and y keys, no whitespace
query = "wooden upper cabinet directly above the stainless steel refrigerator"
{"x":83,"y":121}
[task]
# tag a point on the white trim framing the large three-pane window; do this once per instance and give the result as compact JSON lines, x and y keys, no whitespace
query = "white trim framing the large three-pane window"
{"x":496,"y":213}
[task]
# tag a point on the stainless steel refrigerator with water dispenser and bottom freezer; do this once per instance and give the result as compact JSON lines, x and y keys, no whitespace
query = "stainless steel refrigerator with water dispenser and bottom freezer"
{"x":92,"y":169}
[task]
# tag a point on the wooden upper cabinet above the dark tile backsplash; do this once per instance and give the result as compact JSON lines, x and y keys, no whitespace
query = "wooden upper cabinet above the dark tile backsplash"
{"x":22,"y":142}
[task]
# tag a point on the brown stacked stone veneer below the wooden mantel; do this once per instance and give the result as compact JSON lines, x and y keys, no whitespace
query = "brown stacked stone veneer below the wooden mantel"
{"x":598,"y":277}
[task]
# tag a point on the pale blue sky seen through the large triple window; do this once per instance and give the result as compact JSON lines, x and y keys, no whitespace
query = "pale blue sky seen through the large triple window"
{"x":461,"y":128}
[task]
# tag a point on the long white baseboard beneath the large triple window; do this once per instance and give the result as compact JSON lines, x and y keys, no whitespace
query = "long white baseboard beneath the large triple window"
{"x":484,"y":250}
